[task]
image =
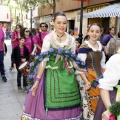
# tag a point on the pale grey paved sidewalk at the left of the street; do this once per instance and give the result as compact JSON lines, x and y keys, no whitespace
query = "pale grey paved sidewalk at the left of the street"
{"x":11,"y":100}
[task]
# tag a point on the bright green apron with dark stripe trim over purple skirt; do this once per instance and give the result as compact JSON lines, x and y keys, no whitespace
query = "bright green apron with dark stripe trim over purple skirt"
{"x":61,"y":88}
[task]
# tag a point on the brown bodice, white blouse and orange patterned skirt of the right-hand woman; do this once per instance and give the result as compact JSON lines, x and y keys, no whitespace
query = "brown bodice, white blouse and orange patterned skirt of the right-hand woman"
{"x":92,"y":58}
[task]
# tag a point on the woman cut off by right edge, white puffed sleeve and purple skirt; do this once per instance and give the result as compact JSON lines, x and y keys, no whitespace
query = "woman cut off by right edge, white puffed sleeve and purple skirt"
{"x":108,"y":85}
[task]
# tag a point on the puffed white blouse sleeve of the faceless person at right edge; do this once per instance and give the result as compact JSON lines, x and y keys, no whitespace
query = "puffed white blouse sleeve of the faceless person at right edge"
{"x":111,"y":75}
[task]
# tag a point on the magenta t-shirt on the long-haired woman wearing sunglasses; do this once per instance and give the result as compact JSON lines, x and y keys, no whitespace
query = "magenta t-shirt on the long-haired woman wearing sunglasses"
{"x":29,"y":45}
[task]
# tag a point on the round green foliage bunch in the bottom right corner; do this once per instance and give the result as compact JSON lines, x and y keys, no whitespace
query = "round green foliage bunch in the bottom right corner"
{"x":115,"y":109}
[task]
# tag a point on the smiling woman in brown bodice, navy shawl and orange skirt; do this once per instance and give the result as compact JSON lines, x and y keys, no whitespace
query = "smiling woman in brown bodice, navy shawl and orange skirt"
{"x":91,"y":53}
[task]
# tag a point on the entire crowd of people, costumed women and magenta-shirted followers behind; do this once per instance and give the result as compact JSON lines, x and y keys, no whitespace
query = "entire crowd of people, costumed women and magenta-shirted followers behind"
{"x":62,"y":88}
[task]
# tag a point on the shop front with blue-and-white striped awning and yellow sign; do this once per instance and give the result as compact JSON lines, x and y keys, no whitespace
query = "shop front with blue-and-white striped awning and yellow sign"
{"x":104,"y":14}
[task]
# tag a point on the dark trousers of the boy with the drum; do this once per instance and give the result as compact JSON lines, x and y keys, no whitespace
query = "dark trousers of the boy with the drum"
{"x":19,"y":74}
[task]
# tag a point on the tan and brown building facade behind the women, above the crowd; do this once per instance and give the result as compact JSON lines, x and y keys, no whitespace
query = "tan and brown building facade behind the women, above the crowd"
{"x":72,"y":10}
